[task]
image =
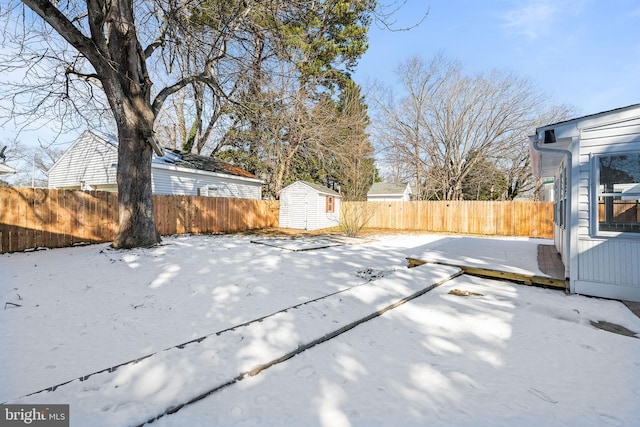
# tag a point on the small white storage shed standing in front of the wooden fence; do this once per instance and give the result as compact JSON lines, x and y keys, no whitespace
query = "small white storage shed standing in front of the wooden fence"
{"x":308,"y":206}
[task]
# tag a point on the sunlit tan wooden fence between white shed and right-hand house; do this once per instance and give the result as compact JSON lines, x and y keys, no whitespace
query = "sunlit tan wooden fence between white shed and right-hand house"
{"x":529,"y":219}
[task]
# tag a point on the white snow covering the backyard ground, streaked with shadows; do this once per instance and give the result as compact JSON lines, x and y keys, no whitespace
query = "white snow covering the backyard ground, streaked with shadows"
{"x":344,"y":335}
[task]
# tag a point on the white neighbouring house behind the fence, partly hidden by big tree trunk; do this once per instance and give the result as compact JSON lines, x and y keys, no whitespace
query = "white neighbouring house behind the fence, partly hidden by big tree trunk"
{"x":91,"y":163}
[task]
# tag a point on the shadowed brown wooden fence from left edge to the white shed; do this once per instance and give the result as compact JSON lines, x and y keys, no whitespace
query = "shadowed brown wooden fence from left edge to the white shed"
{"x":31,"y":218}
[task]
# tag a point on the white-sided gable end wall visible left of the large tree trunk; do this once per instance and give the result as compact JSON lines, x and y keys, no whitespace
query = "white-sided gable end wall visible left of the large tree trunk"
{"x":90,"y":159}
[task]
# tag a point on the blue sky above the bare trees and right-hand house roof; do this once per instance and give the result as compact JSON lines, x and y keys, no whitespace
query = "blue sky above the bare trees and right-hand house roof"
{"x":584,"y":53}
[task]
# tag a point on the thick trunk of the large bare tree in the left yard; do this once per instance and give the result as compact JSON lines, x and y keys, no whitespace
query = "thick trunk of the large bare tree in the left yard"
{"x":128,"y":88}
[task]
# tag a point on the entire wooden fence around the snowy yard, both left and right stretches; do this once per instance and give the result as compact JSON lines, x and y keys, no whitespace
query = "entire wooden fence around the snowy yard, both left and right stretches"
{"x":31,"y":218}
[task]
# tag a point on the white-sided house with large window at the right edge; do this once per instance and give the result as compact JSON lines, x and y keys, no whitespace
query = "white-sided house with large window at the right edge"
{"x":595,"y":163}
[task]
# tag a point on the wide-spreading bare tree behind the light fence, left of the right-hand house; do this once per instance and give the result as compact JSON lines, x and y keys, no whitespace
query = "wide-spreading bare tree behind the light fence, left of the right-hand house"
{"x":447,"y":123}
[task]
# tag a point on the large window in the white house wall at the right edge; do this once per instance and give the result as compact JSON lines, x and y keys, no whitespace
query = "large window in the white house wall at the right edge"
{"x":619,"y":192}
